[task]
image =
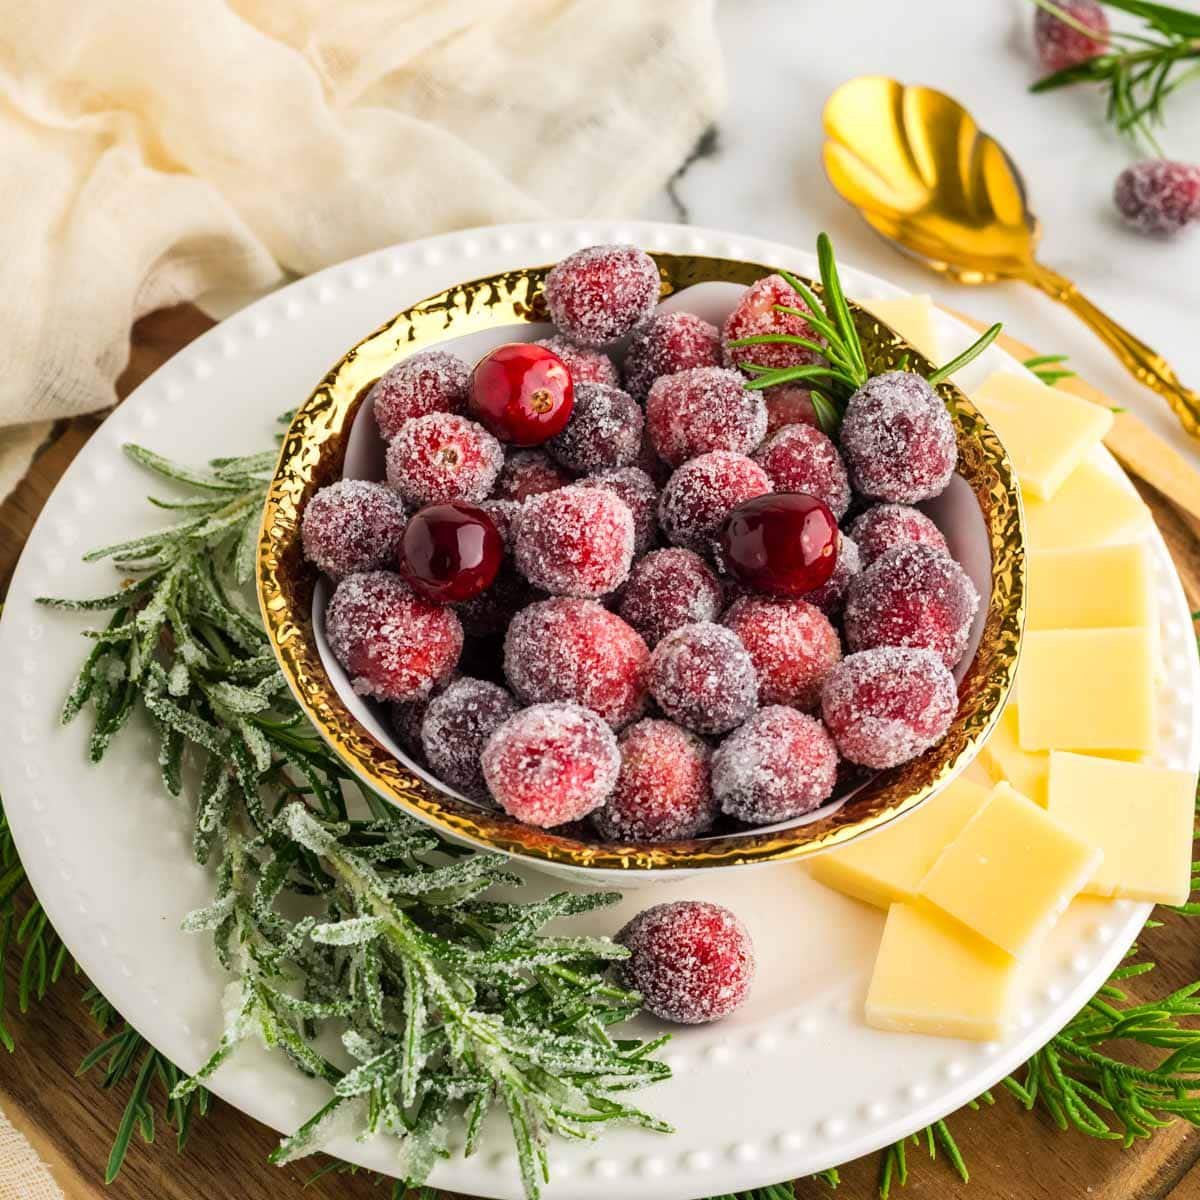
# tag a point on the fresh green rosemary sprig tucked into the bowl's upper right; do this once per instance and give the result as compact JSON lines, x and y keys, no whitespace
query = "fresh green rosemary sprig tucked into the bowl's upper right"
{"x":841,"y":368}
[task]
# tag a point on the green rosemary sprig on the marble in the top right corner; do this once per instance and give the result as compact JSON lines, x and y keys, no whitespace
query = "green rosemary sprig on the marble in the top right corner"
{"x":1139,"y":71}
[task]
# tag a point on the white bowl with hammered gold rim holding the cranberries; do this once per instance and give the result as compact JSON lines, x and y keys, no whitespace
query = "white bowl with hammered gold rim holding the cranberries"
{"x":334,"y":436}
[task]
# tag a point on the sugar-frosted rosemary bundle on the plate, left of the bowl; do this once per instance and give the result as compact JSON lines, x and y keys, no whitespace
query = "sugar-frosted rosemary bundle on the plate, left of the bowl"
{"x":446,"y":1004}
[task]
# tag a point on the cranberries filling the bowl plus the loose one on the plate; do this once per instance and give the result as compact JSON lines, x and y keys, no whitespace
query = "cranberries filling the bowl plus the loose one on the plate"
{"x":604,"y":587}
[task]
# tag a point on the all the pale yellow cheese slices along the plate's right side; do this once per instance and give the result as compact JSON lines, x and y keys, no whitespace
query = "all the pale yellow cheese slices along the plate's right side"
{"x":976,"y":878}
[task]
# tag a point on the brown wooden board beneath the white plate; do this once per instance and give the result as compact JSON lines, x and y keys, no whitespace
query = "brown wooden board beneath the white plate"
{"x":1012,"y":1155}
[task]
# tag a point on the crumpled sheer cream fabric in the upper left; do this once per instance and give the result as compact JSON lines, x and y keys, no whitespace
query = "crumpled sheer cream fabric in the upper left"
{"x":155,"y":152}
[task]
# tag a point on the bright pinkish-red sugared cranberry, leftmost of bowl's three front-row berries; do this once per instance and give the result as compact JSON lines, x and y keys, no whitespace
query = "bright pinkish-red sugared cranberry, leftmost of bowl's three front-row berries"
{"x":551,"y":764}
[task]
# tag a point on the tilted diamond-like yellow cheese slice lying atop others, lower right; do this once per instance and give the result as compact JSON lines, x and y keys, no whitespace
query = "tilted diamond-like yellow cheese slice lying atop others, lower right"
{"x":1012,"y":873}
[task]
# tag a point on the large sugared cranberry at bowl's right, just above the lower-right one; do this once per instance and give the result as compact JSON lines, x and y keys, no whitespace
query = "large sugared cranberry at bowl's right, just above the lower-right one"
{"x":915,"y":597}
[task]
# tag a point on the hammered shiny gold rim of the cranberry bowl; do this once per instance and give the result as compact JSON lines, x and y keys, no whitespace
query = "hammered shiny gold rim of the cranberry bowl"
{"x":313,"y":454}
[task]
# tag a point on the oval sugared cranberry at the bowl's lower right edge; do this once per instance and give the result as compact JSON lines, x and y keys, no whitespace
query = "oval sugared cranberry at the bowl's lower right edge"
{"x":889,"y":705}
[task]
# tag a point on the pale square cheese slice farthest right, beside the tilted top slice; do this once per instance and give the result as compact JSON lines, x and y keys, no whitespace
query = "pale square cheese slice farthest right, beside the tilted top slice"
{"x":1141,"y":817}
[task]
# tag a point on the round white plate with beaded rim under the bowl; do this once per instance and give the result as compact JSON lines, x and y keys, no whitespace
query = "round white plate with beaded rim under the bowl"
{"x":793,"y":1084}
